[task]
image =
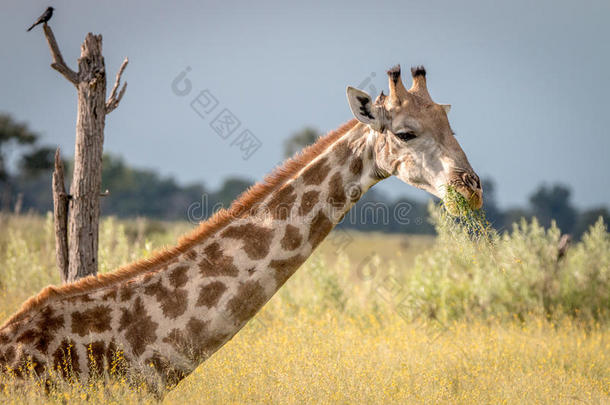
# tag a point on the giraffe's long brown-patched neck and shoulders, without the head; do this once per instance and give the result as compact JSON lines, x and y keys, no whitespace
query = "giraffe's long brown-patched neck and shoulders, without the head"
{"x":192,"y":300}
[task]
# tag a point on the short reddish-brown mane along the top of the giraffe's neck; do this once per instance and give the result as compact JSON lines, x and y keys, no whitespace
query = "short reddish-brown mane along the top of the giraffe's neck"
{"x":240,"y":207}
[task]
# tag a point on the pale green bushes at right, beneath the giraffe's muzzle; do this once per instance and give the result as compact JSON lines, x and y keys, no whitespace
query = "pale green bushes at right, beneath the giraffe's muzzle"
{"x":474,"y":271}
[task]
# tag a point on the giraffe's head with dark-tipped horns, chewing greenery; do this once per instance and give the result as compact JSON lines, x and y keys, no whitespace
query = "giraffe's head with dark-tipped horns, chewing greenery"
{"x":413,"y":140}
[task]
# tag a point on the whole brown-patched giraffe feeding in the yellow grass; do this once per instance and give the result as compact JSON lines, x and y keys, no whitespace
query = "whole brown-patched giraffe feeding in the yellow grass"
{"x":168,"y":314}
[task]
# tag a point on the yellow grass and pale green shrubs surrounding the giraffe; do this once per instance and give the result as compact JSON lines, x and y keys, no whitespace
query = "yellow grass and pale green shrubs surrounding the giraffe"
{"x":469,"y":316}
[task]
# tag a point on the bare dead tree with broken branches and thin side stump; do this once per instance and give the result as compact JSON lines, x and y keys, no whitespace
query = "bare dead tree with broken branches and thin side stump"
{"x":83,"y":210}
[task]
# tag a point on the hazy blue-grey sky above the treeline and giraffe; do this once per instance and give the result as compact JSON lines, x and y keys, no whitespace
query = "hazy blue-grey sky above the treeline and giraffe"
{"x":528,"y":81}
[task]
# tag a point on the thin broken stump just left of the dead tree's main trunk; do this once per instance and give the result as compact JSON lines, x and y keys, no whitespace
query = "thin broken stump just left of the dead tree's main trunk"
{"x":60,"y":213}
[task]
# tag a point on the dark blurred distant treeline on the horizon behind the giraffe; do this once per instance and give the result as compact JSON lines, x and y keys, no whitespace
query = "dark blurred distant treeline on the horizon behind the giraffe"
{"x":26,"y":186}
